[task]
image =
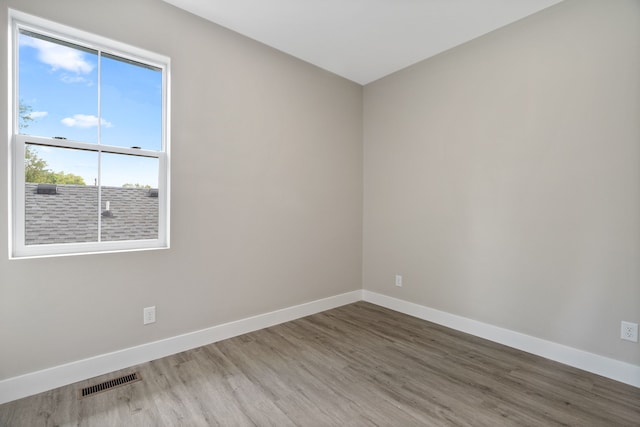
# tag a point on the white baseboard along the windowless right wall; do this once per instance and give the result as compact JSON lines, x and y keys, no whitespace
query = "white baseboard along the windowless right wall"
{"x":600,"y":365}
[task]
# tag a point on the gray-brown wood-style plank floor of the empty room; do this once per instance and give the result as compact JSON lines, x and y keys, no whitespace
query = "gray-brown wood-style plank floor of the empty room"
{"x":357,"y":365}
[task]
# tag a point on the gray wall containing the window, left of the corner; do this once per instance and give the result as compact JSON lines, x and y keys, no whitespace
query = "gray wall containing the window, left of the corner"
{"x":266,"y":196}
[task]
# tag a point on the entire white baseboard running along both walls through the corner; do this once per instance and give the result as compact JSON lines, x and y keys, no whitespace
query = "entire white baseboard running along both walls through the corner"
{"x":57,"y":376}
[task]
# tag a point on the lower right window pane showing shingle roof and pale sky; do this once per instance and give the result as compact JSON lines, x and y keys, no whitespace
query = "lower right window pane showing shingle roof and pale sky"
{"x":129,"y":187}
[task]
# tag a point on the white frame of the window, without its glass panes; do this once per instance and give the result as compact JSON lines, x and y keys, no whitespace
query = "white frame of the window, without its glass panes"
{"x":17,"y":142}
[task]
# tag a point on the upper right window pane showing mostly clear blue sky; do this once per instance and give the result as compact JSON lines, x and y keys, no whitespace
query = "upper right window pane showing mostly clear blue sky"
{"x":131,"y":98}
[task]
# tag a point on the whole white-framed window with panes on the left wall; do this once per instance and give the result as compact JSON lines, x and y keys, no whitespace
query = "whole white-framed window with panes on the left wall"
{"x":89,"y":145}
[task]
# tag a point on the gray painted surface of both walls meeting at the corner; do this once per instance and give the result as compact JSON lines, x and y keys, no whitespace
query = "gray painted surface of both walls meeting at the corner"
{"x":502,"y":180}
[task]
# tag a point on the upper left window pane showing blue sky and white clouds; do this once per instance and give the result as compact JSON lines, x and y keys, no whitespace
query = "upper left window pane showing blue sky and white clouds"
{"x":58,"y":89}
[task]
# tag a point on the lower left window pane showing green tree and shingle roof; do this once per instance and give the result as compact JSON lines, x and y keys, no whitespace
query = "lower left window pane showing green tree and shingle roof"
{"x":67,"y":211}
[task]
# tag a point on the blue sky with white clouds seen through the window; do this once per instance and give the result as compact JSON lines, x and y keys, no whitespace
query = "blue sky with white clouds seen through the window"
{"x":61,"y":83}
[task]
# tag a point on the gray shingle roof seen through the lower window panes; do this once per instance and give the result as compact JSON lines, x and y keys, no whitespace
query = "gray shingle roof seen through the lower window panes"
{"x":71,"y":216}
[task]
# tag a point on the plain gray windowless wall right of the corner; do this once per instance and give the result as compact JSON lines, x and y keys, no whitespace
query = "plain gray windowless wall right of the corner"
{"x":502,"y":178}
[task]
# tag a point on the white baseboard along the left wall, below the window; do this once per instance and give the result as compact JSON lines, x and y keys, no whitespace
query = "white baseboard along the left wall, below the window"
{"x":57,"y":376}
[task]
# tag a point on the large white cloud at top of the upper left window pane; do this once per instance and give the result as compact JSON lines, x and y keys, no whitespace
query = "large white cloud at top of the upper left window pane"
{"x":59,"y":56}
